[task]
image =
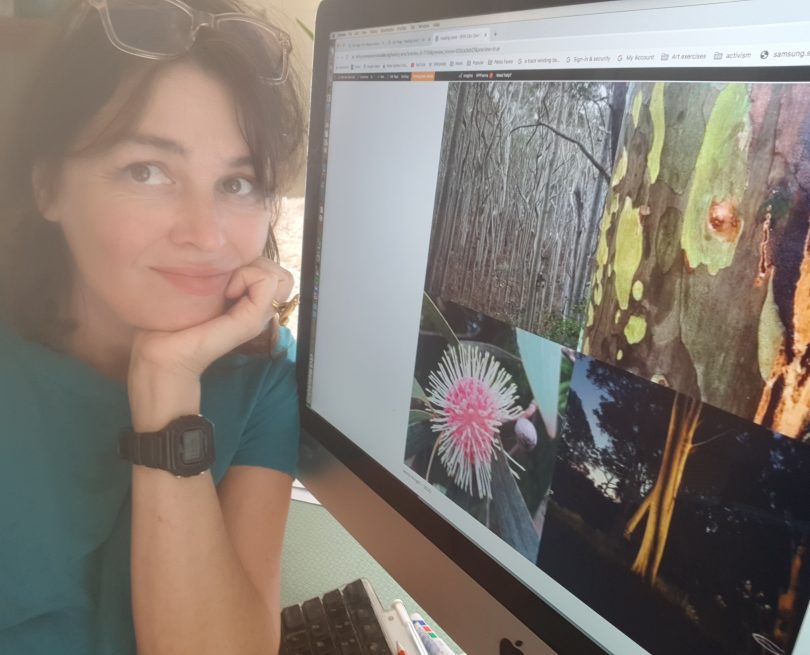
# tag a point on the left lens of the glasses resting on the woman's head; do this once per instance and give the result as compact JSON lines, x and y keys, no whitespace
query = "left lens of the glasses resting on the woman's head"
{"x":154,"y":26}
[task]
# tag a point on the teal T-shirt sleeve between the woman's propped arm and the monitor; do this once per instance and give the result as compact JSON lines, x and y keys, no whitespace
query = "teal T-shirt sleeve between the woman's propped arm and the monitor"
{"x":271,"y":436}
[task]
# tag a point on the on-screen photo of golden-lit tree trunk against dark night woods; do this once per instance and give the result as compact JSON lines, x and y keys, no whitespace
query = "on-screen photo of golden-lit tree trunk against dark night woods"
{"x":683,"y":525}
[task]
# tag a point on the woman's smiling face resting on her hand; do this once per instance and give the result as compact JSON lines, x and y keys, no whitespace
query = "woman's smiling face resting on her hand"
{"x":157,"y":223}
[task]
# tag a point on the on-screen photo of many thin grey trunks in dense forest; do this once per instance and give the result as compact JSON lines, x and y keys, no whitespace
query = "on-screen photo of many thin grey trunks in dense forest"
{"x":523,"y":177}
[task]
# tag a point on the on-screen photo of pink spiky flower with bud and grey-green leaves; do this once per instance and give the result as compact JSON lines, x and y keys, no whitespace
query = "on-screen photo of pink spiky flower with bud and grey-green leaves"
{"x":484,"y":418}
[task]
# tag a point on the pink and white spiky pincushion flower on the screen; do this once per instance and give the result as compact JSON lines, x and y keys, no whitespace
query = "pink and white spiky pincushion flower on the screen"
{"x":472,"y":396}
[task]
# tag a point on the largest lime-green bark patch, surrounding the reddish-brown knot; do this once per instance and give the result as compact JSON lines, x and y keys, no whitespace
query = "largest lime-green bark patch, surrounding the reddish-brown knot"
{"x":720,"y":175}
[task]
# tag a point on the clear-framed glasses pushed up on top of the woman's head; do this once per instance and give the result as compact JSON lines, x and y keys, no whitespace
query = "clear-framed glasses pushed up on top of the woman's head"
{"x":164,"y":29}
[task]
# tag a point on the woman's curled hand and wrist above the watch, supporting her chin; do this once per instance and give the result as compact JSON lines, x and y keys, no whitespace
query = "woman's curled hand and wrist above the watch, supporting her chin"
{"x":165,"y":367}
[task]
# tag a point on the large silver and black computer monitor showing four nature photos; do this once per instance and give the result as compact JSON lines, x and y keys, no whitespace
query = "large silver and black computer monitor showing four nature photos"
{"x":555,"y":338}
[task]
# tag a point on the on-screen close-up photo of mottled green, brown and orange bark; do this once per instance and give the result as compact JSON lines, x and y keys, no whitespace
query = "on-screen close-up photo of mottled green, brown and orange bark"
{"x":702,"y":278}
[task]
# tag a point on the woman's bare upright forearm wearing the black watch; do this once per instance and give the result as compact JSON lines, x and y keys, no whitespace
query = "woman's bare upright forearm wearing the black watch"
{"x":190,"y":592}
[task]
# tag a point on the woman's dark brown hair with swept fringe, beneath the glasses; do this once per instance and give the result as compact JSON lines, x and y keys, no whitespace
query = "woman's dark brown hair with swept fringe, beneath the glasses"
{"x":77,"y":74}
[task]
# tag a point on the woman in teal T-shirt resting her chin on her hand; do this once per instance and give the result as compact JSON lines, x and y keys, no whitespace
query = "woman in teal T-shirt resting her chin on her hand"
{"x":137,"y":256}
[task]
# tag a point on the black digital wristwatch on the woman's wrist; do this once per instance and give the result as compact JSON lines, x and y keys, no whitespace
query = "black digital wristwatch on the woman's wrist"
{"x":185,"y":447}
